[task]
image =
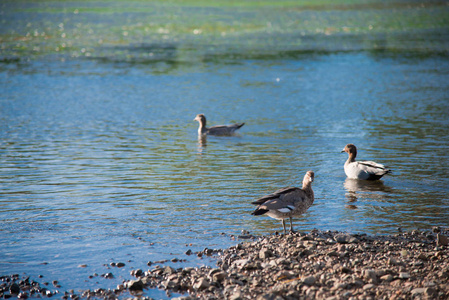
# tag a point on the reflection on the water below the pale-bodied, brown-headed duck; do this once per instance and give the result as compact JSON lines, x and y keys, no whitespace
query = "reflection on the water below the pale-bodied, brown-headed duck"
{"x":364,"y":189}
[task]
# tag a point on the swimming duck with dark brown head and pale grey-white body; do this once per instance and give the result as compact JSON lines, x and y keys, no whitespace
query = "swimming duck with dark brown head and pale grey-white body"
{"x":367,"y":170}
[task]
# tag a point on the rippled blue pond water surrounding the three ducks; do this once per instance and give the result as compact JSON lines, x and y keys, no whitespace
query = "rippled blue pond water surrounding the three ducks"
{"x":100,"y":160}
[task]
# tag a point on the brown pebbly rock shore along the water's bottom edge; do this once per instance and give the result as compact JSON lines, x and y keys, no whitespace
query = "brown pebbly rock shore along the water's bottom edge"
{"x":316,"y":265}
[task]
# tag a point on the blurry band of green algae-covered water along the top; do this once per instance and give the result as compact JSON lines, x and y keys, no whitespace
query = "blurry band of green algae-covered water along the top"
{"x":143,"y":30}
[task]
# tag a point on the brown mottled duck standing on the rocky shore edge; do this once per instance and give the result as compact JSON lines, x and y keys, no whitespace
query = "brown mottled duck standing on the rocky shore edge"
{"x":287,"y":202}
